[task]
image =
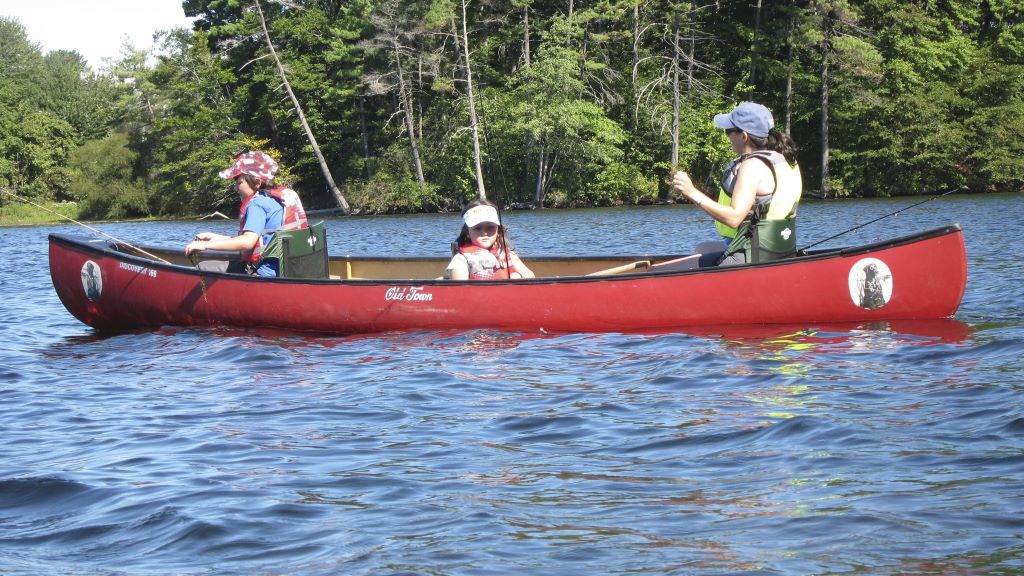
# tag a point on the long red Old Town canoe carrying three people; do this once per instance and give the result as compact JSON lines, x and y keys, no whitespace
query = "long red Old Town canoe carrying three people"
{"x":111,"y":287}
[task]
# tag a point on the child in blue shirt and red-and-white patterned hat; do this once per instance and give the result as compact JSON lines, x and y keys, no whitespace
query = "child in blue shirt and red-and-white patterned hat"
{"x":266,"y":209}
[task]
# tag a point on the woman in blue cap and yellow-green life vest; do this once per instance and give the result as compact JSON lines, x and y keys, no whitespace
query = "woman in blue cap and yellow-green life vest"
{"x":760,"y":190}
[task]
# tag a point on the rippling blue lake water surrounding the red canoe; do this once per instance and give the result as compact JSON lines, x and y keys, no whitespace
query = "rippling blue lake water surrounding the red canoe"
{"x":881,"y":449}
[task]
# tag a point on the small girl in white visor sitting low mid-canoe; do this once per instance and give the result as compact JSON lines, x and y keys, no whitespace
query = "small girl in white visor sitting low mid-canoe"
{"x":482,"y":252}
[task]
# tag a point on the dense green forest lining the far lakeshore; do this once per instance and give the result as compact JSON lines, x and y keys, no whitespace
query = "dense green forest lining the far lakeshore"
{"x":578,"y":103}
